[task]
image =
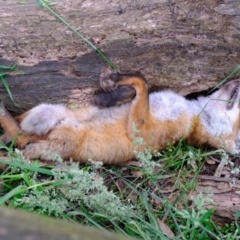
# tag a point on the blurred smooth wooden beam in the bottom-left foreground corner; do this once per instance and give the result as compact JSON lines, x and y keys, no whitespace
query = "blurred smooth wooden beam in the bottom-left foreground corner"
{"x":15,"y":224}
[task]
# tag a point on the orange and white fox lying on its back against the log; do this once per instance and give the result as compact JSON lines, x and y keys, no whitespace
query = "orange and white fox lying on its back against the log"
{"x":108,"y":134}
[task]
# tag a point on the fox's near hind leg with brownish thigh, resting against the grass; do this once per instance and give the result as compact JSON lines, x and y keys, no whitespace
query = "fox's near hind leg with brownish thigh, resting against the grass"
{"x":60,"y":142}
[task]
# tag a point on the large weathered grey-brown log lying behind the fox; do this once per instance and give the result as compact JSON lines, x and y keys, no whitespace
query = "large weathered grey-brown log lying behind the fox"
{"x":186,"y":45}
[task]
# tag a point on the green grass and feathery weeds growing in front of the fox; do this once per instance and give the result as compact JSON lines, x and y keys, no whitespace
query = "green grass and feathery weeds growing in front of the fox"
{"x":128,"y":200}
